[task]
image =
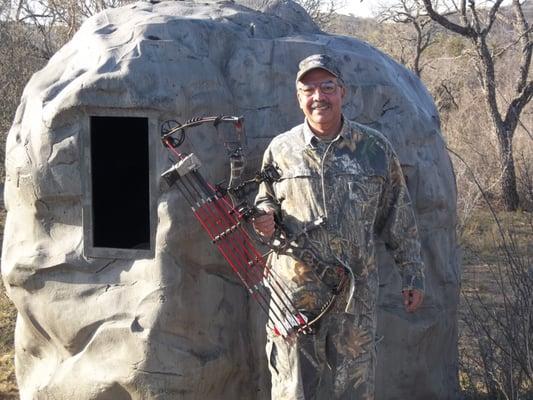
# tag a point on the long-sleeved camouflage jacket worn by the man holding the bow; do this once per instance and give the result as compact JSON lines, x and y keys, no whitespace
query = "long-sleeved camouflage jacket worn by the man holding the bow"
{"x":356,"y":182}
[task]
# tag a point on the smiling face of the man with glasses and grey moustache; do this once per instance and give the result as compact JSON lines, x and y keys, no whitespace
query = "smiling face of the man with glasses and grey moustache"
{"x":323,"y":110}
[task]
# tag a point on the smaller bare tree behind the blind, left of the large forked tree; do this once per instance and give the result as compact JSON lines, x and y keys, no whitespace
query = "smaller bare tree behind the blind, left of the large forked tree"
{"x":411,"y":13}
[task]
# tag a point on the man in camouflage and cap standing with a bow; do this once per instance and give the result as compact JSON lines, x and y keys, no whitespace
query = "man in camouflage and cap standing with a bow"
{"x":349,"y":175}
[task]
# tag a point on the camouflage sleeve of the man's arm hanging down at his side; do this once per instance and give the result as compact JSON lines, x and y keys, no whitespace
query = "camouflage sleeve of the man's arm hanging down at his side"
{"x":397,"y":225}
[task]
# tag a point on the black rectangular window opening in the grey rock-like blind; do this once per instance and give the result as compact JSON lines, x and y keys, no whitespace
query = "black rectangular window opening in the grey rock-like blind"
{"x":120,"y":182}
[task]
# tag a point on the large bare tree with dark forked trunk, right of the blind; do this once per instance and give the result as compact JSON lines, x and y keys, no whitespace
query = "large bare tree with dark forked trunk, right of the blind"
{"x":475,"y":24}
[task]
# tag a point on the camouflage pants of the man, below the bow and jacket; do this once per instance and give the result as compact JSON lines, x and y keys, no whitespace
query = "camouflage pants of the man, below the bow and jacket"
{"x":337,"y":361}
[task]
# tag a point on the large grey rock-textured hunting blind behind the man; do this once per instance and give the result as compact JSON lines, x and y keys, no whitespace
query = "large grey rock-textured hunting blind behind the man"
{"x":177,"y":325}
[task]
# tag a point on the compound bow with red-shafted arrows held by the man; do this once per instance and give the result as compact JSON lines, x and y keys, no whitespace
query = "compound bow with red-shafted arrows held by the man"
{"x":224,"y":214}
